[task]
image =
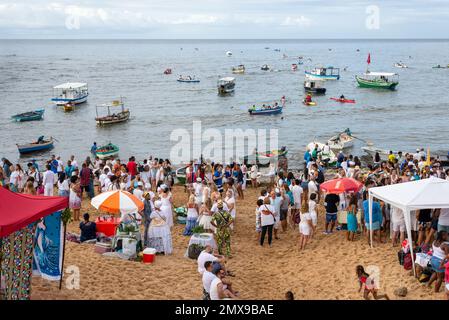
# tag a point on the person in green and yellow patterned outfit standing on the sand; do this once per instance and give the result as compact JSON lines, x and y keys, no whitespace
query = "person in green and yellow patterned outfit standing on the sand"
{"x":222,"y":220}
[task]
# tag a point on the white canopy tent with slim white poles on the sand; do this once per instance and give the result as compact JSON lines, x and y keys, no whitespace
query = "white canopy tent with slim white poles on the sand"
{"x":432,"y":193}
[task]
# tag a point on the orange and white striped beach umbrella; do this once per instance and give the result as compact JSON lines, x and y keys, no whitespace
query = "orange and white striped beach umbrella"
{"x":117,"y":202}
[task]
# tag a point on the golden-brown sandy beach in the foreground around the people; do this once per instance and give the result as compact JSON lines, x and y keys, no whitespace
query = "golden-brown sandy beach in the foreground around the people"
{"x":325,"y":270}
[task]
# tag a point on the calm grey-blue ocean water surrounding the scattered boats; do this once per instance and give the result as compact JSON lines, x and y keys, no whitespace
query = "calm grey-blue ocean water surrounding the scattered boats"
{"x":415,"y":115}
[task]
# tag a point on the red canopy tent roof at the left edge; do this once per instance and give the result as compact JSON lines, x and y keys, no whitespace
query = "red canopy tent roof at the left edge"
{"x":19,"y":210}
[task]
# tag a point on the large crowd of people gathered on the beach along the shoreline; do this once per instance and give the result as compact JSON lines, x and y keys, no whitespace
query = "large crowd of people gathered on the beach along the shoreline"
{"x":287,"y":200}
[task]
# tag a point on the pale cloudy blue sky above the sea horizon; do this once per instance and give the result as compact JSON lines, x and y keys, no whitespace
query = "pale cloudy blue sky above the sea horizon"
{"x":224,"y":19}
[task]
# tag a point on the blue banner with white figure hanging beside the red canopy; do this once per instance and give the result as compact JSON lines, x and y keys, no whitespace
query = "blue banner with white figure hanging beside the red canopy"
{"x":48,"y":246}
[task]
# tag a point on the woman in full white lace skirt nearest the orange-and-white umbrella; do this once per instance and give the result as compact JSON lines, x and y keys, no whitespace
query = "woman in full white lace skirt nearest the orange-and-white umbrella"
{"x":159,"y":236}
